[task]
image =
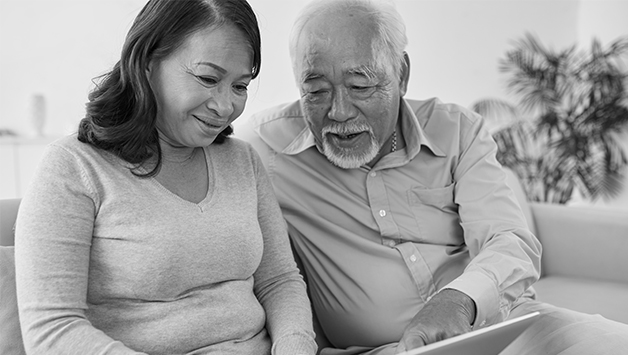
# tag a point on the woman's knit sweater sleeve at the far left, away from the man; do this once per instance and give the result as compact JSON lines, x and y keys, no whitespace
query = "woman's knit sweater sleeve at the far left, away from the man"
{"x":52,"y":248}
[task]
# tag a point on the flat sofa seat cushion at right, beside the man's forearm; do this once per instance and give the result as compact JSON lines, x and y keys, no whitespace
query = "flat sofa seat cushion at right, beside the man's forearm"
{"x":585,"y":295}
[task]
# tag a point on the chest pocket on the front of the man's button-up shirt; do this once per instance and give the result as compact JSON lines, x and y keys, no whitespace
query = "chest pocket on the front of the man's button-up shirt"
{"x":436,"y":215}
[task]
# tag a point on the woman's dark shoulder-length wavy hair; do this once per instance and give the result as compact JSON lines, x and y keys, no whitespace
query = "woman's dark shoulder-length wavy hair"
{"x":121,"y":112}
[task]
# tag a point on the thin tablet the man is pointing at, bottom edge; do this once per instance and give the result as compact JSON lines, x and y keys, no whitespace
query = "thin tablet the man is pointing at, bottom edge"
{"x":485,"y":341}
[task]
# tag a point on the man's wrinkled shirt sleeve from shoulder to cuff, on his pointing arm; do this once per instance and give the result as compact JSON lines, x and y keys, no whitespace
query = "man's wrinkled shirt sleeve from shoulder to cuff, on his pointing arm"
{"x":505,"y":255}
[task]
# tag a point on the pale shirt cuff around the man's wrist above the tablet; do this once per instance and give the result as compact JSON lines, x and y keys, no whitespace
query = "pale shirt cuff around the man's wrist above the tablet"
{"x":484,"y":293}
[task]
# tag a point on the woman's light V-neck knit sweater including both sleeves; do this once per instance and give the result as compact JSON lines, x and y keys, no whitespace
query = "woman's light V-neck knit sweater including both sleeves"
{"x":110,"y":263}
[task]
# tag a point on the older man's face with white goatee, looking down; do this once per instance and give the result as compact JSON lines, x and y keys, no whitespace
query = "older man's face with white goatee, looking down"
{"x":350,"y":102}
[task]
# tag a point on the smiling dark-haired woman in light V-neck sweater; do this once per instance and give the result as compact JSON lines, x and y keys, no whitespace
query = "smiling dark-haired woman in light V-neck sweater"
{"x":150,"y":230}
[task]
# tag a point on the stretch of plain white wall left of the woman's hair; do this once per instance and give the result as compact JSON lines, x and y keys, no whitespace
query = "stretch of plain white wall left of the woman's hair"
{"x":55,"y":48}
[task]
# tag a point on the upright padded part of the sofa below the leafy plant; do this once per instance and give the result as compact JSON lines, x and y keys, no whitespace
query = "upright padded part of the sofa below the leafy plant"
{"x":582,"y":241}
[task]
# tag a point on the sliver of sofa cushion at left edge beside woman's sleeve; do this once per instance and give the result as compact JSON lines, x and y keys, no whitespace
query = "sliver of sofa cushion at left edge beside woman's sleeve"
{"x":10,"y":334}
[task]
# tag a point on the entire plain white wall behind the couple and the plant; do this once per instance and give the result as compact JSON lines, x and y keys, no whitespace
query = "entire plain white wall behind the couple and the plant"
{"x":56,"y":48}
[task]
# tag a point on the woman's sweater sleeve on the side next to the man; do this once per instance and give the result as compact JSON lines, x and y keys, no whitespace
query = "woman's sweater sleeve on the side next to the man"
{"x":278,"y":283}
